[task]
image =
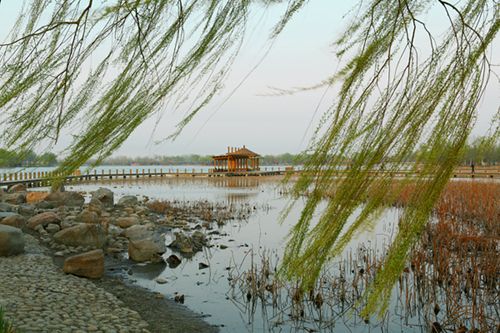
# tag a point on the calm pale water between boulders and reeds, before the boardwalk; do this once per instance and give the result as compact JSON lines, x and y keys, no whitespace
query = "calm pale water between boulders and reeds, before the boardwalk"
{"x":209,"y":291}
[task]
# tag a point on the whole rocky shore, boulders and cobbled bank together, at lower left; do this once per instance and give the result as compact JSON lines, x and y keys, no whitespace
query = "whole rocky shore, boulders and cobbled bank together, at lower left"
{"x":37,"y":292}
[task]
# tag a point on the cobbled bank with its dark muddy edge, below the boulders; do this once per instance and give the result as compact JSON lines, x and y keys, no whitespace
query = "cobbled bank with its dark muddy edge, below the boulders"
{"x":25,"y":297}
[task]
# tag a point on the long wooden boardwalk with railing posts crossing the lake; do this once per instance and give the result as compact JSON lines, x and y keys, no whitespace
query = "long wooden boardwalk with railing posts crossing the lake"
{"x":36,"y":179}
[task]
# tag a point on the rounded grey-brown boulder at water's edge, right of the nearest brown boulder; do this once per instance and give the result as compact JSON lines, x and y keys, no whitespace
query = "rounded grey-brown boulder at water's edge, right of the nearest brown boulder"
{"x":144,"y":246}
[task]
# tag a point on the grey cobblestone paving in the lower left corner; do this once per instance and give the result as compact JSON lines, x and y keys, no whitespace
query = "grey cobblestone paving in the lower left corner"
{"x":40,"y":297}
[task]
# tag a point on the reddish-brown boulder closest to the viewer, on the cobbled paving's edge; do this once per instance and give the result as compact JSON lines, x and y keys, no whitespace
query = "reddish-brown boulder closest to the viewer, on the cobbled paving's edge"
{"x":89,"y":265}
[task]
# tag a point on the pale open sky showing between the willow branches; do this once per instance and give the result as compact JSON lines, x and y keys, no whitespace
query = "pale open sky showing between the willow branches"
{"x":300,"y":57}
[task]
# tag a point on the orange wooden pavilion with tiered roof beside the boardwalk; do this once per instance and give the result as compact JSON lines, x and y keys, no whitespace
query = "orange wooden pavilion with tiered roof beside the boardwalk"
{"x":236,"y":159}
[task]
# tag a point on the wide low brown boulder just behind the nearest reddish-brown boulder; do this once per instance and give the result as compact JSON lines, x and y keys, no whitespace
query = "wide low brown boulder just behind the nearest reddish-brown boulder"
{"x":82,"y":235}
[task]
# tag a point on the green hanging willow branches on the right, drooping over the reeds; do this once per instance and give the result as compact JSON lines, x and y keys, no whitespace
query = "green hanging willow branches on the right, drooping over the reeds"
{"x":432,"y":101}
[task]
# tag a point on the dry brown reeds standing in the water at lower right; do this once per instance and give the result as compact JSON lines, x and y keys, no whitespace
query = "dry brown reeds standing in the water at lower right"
{"x":450,"y":284}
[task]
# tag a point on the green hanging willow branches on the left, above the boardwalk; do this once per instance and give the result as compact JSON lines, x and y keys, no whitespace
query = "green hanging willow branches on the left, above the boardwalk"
{"x":101,"y":68}
